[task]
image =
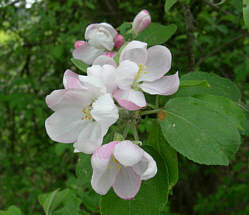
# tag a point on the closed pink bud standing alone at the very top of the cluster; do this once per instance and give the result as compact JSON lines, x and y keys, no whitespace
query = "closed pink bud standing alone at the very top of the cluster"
{"x":141,"y":21}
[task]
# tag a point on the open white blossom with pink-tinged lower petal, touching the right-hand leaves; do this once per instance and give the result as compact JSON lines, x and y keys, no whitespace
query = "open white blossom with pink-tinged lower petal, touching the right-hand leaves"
{"x":143,"y":70}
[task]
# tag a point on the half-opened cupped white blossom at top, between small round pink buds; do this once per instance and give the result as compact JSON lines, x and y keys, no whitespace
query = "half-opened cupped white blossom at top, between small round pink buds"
{"x":100,"y":38}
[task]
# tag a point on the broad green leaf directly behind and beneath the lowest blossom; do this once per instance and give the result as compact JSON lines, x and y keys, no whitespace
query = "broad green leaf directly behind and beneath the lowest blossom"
{"x":150,"y":199}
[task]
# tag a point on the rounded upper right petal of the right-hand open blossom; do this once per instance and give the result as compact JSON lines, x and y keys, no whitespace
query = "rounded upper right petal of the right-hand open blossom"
{"x":158,"y":63}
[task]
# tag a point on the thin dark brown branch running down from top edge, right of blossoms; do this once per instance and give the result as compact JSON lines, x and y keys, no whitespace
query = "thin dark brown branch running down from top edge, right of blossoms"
{"x":189,"y":20}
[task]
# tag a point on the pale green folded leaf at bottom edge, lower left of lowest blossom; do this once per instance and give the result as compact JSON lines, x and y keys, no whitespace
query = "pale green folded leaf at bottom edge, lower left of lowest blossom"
{"x":51,"y":201}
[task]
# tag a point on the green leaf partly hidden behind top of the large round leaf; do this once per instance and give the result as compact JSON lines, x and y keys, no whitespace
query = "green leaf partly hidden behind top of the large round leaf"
{"x":218,"y":86}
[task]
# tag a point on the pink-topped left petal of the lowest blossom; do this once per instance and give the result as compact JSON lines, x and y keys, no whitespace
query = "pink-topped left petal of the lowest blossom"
{"x":104,"y":173}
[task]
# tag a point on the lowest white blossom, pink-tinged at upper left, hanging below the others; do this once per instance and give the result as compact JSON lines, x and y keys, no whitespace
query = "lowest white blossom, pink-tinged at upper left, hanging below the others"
{"x":121,"y":165}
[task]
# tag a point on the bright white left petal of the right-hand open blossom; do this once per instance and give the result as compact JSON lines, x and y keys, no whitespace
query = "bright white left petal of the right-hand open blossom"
{"x":126,"y":73}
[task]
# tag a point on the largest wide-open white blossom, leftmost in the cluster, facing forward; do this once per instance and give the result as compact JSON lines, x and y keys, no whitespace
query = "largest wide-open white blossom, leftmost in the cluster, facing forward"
{"x":82,"y":114}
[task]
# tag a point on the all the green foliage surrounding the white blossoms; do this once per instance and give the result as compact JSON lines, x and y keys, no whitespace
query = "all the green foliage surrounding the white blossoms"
{"x":36,"y":46}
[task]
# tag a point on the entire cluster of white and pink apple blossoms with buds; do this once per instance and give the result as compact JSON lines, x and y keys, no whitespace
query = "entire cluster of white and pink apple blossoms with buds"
{"x":85,"y":109}
